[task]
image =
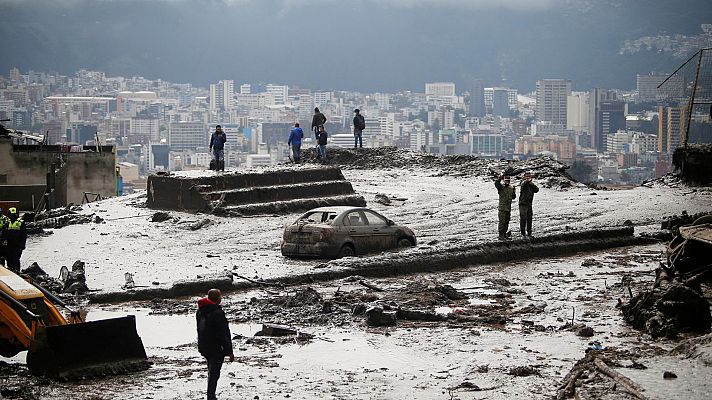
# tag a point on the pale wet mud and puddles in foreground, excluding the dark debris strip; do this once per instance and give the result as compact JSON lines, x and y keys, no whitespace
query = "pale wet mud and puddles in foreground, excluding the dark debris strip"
{"x":420,"y":360}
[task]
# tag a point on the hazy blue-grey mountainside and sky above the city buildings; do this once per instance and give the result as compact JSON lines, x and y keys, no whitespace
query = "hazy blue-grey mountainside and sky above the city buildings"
{"x":369,"y":45}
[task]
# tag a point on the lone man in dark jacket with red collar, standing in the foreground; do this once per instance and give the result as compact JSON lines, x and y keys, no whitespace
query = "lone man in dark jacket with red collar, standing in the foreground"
{"x":214,"y":340}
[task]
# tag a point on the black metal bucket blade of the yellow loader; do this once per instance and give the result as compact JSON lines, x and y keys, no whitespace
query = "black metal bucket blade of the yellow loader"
{"x":87,"y":350}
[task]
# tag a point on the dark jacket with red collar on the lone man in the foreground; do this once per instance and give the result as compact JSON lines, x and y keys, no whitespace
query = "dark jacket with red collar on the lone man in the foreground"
{"x":213,"y":332}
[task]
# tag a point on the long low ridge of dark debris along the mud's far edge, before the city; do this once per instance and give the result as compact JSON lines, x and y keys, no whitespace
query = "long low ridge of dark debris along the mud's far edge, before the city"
{"x":543,"y":168}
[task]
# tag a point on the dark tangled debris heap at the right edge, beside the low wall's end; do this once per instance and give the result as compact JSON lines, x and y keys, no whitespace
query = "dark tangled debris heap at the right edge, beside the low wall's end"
{"x":676,"y":302}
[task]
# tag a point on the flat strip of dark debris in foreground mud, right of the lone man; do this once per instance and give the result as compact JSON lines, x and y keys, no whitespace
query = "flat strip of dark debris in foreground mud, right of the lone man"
{"x":412,"y":303}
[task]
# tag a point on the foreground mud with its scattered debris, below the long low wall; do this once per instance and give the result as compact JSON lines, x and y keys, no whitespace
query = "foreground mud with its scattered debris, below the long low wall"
{"x":491,"y":331}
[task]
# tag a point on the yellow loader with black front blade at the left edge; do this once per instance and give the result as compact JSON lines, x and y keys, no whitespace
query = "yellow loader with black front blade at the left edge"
{"x":59,"y":347}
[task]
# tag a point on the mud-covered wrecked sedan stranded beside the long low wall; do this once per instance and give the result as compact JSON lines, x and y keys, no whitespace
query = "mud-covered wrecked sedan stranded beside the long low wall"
{"x":343,"y":231}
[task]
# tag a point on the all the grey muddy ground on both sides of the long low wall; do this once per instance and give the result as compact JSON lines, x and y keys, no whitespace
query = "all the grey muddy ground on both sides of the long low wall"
{"x":489,"y":331}
